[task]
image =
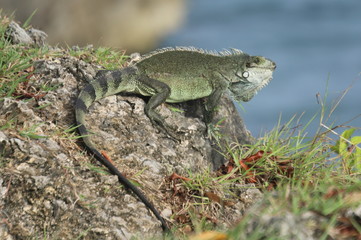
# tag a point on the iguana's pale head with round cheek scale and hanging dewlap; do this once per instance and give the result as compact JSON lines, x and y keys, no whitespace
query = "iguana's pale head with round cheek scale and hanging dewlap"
{"x":252,"y":75}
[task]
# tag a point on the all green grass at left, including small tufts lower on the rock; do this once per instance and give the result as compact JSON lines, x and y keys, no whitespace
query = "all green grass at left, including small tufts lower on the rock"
{"x":16,"y":70}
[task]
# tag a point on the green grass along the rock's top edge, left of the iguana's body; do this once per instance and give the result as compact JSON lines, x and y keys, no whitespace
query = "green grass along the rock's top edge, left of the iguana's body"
{"x":16,"y":60}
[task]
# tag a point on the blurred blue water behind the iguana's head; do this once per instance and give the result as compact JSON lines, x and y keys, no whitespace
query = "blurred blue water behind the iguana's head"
{"x":314,"y":43}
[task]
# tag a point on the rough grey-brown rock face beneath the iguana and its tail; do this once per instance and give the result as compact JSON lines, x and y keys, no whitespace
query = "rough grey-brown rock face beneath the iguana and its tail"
{"x":50,"y":187}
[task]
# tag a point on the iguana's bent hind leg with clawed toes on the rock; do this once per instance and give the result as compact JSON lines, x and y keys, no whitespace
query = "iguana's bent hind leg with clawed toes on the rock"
{"x":159,"y":92}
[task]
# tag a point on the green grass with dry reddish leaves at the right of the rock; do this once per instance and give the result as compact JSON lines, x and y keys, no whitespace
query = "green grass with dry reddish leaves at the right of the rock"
{"x":324,"y":176}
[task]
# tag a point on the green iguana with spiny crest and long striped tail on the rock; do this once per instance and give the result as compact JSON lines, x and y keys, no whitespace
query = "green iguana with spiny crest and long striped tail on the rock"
{"x":175,"y":75}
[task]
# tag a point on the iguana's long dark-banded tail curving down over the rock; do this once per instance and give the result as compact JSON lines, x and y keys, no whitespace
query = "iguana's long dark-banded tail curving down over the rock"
{"x":86,"y":98}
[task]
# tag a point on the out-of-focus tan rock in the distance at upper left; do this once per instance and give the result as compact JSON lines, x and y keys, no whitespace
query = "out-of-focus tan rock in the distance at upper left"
{"x":134,"y":25}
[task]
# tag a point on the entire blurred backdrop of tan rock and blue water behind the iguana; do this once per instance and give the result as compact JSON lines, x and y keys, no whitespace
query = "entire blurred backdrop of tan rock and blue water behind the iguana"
{"x":316,"y":44}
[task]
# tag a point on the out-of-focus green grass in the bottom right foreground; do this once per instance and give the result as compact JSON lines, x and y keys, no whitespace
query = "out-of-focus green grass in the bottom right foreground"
{"x":299,"y":198}
